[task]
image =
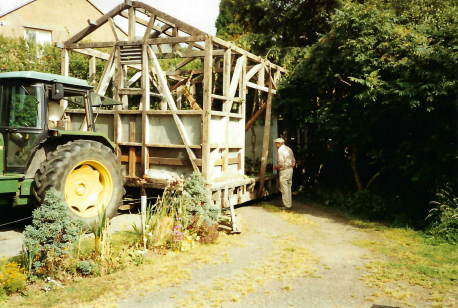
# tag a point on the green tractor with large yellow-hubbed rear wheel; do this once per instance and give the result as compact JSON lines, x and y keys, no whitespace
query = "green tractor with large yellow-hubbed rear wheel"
{"x":37,"y":153}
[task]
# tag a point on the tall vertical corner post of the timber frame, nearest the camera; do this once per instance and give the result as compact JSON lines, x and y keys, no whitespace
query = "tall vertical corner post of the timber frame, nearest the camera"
{"x":206,"y":114}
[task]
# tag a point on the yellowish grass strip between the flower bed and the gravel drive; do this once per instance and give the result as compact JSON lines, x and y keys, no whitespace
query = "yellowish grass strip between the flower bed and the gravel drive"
{"x":156,"y":273}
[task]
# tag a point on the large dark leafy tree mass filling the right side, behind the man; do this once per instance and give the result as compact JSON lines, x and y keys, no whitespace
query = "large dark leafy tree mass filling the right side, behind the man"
{"x":382,"y":84}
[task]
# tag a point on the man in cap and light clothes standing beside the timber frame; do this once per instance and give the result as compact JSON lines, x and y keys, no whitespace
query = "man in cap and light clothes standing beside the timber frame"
{"x":286,"y":163}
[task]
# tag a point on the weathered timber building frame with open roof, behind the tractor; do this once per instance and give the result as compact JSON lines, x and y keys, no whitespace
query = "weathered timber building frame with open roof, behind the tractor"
{"x":156,"y":143}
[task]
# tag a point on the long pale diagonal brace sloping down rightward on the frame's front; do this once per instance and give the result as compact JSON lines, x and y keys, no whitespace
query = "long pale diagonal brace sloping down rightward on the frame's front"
{"x":168,"y":96}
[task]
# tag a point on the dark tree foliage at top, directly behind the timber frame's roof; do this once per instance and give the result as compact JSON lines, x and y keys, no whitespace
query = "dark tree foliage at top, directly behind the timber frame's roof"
{"x":276,"y":29}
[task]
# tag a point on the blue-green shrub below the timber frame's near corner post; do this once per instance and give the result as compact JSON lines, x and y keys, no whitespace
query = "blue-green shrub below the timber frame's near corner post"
{"x":197,"y":200}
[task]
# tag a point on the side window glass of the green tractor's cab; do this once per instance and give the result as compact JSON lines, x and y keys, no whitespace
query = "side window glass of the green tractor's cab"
{"x":20,"y":106}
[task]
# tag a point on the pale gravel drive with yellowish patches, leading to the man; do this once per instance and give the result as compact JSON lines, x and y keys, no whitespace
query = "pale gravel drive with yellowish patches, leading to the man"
{"x":301,"y":258}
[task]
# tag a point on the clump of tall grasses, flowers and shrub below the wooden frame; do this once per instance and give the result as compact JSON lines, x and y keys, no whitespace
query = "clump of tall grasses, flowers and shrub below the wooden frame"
{"x":182,"y":217}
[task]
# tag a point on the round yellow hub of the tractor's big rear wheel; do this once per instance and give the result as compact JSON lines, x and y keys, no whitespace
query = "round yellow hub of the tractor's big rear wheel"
{"x":88,"y":188}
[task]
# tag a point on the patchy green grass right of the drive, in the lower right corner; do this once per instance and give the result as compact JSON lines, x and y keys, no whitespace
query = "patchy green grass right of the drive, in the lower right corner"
{"x":406,"y":261}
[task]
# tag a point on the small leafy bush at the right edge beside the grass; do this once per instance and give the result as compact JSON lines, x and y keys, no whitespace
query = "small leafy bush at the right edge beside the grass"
{"x":445,"y":216}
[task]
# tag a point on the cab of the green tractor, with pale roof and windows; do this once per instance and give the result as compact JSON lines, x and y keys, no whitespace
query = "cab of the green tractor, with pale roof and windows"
{"x":32,"y":104}
